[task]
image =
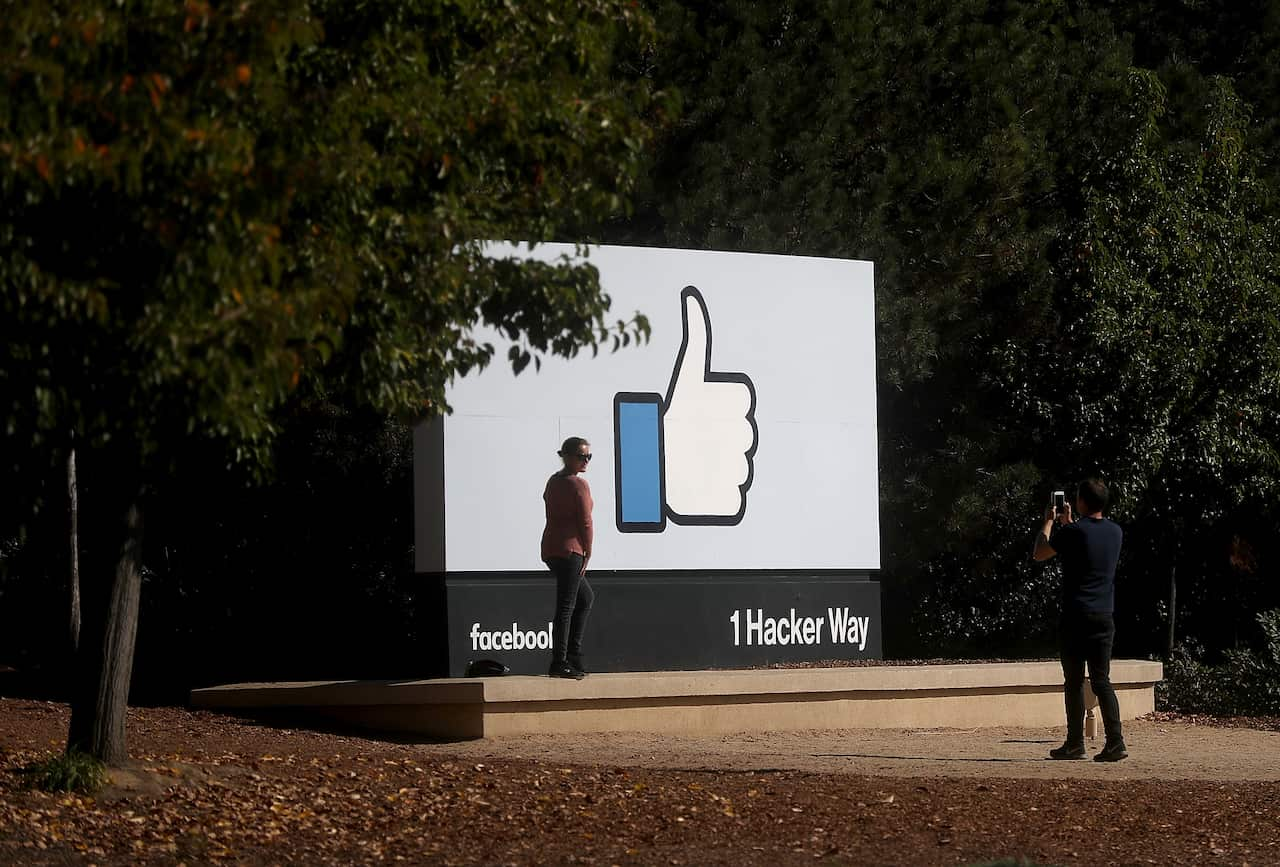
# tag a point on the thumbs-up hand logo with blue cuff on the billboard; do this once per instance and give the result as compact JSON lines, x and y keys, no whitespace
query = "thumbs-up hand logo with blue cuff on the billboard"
{"x":687,"y":457}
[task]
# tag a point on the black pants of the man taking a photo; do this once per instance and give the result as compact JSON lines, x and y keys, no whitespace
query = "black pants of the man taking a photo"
{"x":1087,"y":640}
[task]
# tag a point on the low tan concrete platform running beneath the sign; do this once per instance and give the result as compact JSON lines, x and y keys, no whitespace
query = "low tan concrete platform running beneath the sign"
{"x":696,"y":702}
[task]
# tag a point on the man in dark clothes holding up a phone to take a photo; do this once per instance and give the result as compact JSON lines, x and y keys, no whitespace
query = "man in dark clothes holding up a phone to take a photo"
{"x":1089,"y":549}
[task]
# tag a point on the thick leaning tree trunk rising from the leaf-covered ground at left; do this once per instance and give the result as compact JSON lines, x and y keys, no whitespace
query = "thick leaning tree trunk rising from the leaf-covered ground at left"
{"x":106,"y":661}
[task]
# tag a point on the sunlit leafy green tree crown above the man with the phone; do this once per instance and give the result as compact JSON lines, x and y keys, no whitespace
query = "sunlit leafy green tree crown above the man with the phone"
{"x":1169,"y":305}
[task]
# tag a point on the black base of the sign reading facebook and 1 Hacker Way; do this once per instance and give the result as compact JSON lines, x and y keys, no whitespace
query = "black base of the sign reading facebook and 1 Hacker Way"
{"x":666,"y":622}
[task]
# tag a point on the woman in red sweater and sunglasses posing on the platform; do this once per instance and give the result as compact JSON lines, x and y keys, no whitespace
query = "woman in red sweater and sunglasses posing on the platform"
{"x":566,"y":551}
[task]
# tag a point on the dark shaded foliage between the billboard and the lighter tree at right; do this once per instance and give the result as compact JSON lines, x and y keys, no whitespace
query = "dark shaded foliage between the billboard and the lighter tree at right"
{"x":947,"y":143}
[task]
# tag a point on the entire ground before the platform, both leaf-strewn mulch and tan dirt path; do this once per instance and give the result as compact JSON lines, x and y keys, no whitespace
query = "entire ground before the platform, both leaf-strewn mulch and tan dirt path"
{"x":205,"y":788}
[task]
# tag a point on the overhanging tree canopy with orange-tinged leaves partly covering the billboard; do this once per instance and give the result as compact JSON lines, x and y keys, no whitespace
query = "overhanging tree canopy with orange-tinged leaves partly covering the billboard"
{"x":207,"y":208}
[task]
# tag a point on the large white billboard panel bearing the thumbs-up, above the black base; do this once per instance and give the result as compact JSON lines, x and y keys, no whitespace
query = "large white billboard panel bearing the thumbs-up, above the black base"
{"x":740,"y":437}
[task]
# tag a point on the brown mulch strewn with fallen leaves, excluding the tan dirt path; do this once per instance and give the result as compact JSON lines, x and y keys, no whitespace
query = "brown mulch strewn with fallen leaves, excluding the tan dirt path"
{"x":228,"y":791}
